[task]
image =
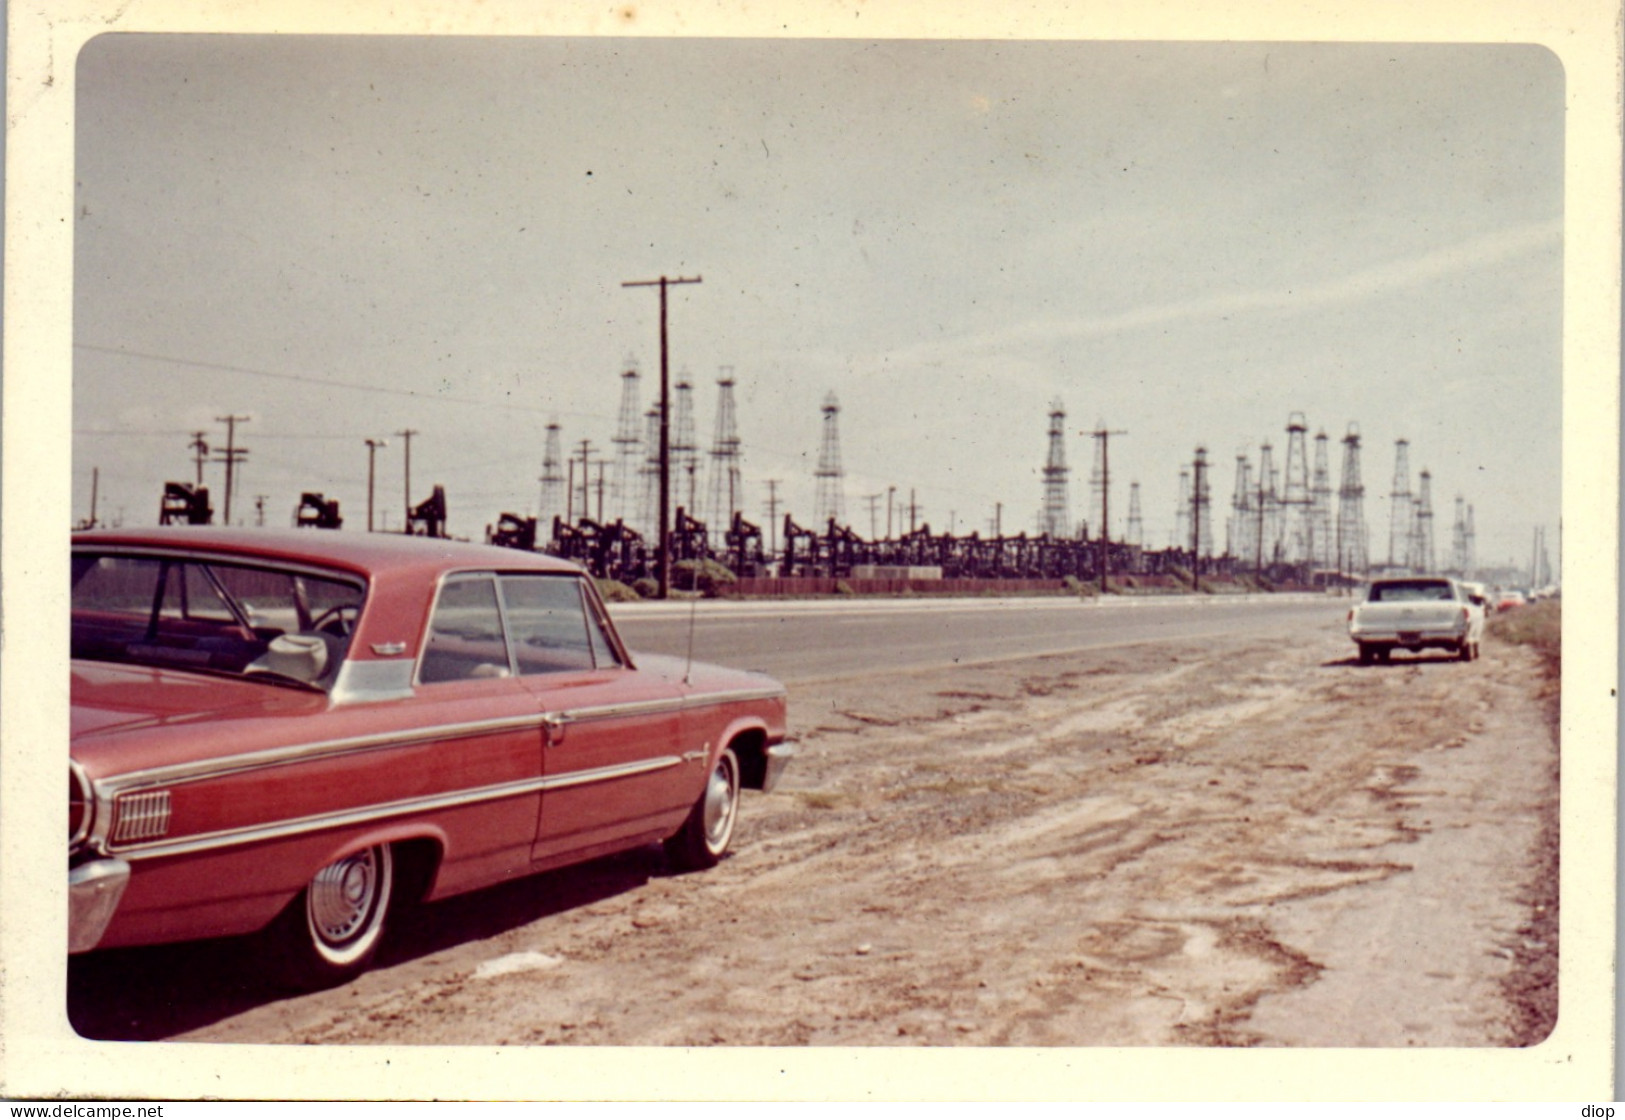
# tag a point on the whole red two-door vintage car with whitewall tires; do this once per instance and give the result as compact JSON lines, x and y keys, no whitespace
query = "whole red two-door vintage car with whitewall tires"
{"x":293,"y":732}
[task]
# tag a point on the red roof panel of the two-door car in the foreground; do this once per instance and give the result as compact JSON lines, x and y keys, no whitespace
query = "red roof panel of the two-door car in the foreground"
{"x":370,"y":553}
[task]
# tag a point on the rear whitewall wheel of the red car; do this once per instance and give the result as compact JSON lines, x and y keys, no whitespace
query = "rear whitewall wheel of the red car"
{"x":331,"y":932}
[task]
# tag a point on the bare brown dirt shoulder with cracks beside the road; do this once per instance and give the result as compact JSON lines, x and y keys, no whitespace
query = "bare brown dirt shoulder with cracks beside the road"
{"x":1254,"y":843}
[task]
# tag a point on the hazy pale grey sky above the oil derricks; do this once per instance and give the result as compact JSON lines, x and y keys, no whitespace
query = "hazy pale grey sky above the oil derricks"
{"x":347,"y":238}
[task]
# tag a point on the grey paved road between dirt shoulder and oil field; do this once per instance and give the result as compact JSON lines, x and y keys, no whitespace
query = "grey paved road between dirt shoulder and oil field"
{"x":808,"y":641}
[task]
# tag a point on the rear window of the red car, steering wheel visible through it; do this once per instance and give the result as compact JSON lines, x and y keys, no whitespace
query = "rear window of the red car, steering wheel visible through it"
{"x":212,"y":615}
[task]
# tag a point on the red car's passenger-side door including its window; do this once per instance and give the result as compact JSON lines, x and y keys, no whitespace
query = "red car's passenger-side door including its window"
{"x":613,"y":763}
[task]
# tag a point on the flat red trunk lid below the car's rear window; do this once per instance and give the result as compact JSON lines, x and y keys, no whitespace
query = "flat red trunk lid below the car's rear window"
{"x":132,"y":698}
